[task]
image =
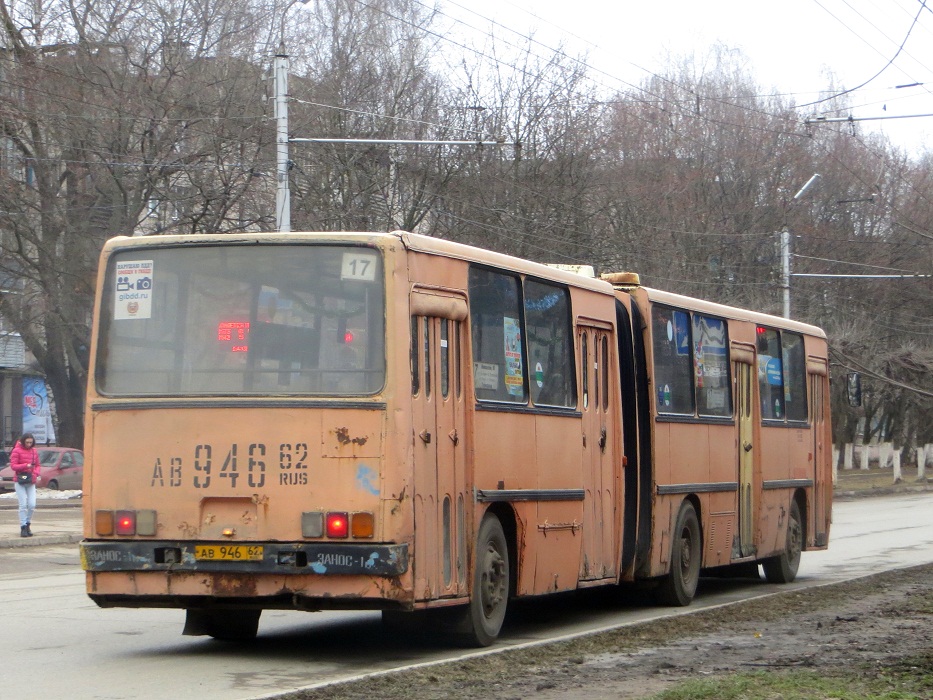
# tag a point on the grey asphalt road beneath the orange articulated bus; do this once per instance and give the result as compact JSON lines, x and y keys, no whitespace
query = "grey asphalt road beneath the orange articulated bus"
{"x":79,"y":649}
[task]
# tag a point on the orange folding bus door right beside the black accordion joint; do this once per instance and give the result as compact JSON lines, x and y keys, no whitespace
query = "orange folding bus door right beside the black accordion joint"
{"x":595,"y":348}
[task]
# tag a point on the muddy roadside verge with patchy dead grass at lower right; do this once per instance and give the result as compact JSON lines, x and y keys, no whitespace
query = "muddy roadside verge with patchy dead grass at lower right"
{"x":867,"y":628}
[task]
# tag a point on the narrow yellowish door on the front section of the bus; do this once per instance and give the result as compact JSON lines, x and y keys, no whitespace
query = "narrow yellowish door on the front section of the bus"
{"x":744,"y":545}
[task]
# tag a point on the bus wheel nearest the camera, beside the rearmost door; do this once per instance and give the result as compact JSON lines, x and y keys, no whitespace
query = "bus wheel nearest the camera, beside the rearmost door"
{"x":480,"y":621}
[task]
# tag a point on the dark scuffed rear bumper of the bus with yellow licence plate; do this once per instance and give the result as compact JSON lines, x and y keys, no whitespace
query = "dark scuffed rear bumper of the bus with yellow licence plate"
{"x":253,"y":558}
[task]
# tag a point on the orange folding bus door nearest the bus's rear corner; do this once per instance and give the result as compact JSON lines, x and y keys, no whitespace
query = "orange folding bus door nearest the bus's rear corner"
{"x":440,"y":497}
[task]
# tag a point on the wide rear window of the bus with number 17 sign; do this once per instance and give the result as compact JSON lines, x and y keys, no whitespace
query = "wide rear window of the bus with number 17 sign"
{"x":242,"y":319}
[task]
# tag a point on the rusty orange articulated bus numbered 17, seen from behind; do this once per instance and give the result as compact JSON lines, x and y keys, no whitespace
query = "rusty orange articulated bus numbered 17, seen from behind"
{"x":394,"y":422}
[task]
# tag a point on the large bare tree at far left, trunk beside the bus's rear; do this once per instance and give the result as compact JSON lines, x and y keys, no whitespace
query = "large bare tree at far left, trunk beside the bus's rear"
{"x":118,"y":118}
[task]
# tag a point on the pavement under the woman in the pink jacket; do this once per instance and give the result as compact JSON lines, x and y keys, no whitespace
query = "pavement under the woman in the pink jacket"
{"x":55,"y":521}
